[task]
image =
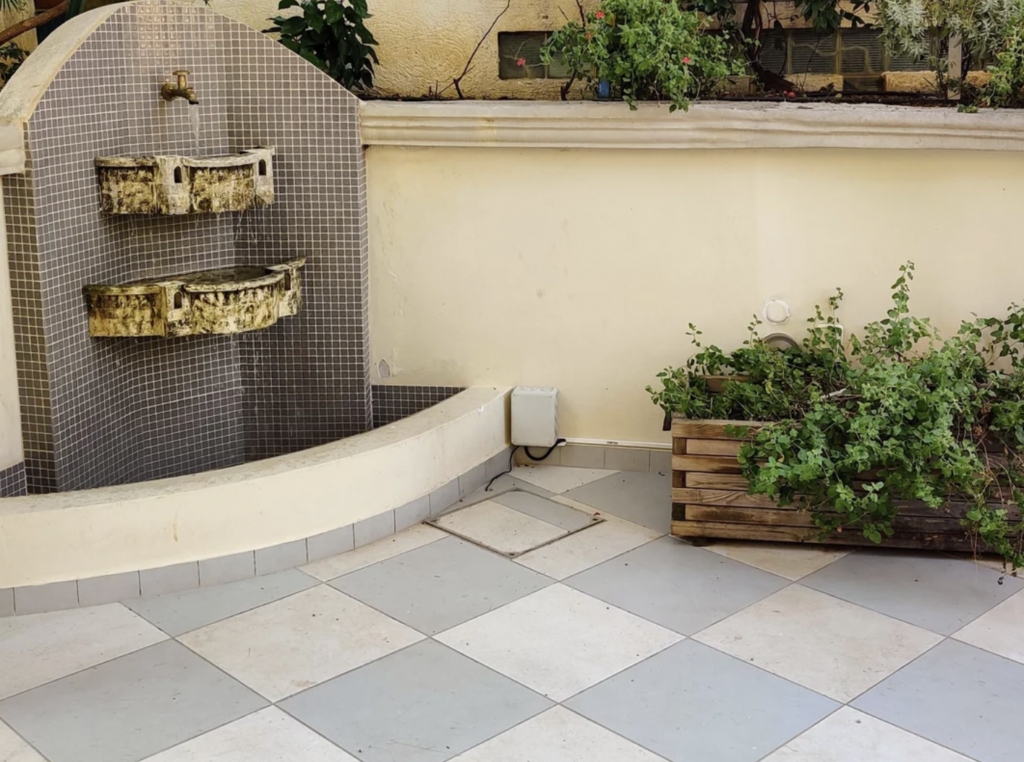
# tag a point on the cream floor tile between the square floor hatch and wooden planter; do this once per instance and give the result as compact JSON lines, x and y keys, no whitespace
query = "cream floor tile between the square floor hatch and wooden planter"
{"x":588,"y":548}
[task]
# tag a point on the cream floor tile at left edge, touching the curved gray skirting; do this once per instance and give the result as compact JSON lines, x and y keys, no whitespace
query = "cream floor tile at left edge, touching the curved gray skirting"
{"x":47,"y":647}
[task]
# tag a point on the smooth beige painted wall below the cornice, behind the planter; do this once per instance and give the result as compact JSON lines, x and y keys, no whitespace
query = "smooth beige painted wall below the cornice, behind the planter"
{"x":582,"y":269}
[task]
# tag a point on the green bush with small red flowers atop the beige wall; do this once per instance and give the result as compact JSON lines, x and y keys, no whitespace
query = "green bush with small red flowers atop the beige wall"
{"x":647,"y":51}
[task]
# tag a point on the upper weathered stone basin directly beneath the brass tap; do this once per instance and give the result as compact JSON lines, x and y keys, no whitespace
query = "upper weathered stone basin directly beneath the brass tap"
{"x":177,"y":185}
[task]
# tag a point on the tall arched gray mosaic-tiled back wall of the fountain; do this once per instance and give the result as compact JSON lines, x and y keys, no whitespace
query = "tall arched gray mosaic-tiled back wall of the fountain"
{"x":99,"y":412}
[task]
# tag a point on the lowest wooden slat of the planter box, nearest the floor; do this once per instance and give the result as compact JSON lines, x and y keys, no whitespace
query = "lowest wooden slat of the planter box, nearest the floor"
{"x":953,"y":542}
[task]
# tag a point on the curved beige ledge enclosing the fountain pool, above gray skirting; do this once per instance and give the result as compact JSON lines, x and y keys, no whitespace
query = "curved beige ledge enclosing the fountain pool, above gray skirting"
{"x":95,"y":533}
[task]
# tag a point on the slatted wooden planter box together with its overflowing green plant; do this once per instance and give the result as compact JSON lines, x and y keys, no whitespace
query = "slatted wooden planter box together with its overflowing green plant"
{"x":898,"y":438}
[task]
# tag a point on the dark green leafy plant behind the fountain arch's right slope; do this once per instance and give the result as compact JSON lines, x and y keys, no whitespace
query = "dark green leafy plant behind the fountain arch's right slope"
{"x":331,"y":35}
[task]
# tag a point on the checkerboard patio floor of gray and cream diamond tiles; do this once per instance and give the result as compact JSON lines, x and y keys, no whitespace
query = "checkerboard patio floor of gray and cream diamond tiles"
{"x":616,"y":643}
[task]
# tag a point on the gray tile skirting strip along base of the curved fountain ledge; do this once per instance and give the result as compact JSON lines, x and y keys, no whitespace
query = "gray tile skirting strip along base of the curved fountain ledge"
{"x":98,"y":590}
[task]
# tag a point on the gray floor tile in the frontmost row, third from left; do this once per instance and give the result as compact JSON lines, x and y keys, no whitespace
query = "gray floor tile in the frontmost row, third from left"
{"x":694,"y":704}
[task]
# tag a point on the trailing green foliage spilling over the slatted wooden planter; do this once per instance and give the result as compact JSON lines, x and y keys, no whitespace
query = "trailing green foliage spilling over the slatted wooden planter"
{"x":859,"y":425}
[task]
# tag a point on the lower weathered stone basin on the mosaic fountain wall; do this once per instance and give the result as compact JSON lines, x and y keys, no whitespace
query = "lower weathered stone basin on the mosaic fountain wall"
{"x":222,"y":302}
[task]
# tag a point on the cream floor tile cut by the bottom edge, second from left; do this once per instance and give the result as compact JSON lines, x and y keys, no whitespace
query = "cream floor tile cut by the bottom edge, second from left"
{"x":268,"y":736}
